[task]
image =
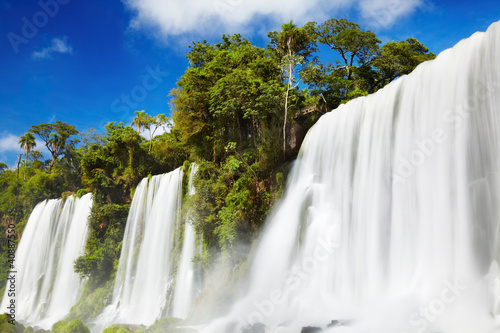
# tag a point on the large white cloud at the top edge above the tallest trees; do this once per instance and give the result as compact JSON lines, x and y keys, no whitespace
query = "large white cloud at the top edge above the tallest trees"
{"x":175,"y":17}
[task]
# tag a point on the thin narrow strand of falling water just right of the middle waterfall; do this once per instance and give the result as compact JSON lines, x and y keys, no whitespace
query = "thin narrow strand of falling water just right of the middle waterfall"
{"x":185,"y":279}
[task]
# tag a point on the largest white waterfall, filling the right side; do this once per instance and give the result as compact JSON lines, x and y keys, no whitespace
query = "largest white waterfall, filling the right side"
{"x":391,"y":216}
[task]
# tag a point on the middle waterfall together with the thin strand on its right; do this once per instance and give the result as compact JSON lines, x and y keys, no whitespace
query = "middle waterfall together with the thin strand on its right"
{"x":145,"y":277}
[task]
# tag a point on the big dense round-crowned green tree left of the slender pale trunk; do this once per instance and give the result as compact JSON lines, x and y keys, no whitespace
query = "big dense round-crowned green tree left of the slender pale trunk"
{"x":230,"y":93}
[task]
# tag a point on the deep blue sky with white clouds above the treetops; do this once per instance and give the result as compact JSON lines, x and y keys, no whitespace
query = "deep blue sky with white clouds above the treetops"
{"x":94,"y":61}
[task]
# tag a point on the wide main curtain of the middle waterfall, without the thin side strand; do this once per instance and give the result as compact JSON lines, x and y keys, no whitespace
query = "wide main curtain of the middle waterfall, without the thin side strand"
{"x":146,"y":265}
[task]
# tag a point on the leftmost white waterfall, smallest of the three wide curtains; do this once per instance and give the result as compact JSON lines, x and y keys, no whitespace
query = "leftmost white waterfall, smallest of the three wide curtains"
{"x":53,"y":239}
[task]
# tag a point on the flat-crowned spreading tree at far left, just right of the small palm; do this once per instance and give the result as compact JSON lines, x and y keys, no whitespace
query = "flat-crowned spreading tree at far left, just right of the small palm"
{"x":55,"y":137}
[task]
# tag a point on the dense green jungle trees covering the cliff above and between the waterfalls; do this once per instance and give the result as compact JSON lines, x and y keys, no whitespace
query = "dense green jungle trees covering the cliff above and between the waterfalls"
{"x":236,"y":111}
